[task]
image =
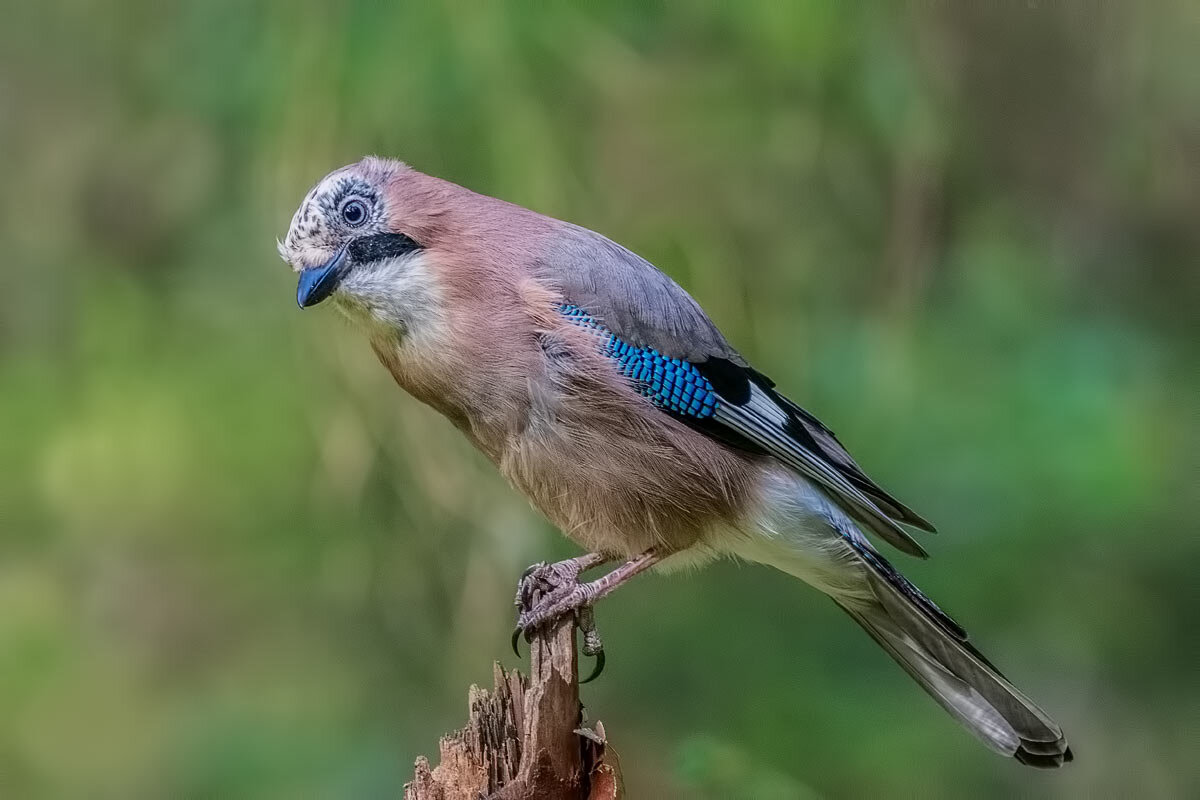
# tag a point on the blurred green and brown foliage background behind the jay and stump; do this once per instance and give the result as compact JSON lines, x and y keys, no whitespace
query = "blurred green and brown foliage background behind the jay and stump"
{"x":236,"y":562}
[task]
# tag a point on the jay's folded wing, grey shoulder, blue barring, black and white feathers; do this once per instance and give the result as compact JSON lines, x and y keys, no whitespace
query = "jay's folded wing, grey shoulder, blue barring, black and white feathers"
{"x":673,"y":352}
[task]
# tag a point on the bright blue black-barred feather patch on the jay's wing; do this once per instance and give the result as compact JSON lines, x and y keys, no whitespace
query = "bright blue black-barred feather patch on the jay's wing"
{"x":671,"y":384}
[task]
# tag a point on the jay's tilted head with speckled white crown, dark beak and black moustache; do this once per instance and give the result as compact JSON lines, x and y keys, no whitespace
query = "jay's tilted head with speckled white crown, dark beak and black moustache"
{"x":357,"y":238}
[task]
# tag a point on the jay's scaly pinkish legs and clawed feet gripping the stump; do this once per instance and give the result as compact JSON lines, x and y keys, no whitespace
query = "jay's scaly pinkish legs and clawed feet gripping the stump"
{"x":537,"y":606}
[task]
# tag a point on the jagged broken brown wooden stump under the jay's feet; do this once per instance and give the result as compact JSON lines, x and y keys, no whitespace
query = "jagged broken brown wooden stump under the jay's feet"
{"x":525,"y":739}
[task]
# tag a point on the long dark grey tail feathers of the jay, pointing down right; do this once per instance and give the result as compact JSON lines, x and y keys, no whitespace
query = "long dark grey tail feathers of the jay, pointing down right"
{"x":934,"y":651}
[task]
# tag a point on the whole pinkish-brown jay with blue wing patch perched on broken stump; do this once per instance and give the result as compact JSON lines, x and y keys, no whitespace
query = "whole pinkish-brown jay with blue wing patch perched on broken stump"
{"x":604,"y":394}
